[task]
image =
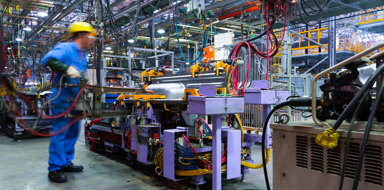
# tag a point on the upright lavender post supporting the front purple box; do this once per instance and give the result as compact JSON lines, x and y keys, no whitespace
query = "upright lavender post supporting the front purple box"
{"x":216,"y":152}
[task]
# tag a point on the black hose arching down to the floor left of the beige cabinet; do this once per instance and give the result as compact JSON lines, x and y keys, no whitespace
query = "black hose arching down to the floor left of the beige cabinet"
{"x":290,"y":102}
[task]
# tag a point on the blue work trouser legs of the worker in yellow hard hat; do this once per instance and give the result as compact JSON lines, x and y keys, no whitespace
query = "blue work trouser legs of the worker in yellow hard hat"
{"x":62,"y":146}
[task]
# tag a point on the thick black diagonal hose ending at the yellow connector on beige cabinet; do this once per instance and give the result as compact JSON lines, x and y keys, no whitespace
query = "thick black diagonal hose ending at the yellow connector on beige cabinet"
{"x":352,"y":105}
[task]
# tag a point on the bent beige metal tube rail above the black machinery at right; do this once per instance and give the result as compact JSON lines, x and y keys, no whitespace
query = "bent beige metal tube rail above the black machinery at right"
{"x":337,"y":66}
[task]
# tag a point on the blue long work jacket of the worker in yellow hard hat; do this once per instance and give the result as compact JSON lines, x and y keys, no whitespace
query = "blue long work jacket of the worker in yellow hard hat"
{"x":72,"y":55}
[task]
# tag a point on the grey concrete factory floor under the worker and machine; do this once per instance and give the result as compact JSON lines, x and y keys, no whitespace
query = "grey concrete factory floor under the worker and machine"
{"x":23,"y":165}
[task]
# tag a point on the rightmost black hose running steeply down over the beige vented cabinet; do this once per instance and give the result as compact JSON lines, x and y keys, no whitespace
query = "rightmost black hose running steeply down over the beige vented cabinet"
{"x":366,"y":134}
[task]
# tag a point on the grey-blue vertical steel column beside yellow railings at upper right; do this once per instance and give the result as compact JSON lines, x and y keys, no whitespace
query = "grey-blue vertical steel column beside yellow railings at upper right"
{"x":332,"y":42}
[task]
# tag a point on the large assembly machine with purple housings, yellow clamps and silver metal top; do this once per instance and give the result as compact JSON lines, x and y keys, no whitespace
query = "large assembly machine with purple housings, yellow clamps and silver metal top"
{"x":185,"y":124}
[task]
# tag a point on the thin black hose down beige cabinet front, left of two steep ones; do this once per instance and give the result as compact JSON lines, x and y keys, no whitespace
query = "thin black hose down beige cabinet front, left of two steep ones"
{"x":358,"y":110}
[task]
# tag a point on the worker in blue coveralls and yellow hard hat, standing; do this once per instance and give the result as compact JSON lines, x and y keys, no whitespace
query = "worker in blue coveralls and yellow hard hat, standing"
{"x":67,"y":59}
